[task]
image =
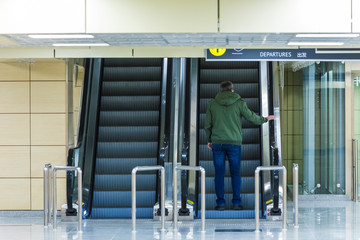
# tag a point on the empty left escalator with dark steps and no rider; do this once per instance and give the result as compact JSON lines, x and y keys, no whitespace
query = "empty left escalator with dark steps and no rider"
{"x":126,"y":135}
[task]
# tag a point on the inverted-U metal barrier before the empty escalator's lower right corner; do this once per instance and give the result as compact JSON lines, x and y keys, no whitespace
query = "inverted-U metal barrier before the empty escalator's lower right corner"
{"x":133,"y":193}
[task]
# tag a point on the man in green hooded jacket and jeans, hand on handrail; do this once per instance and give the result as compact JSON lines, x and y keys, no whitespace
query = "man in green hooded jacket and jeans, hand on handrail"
{"x":223,"y":133}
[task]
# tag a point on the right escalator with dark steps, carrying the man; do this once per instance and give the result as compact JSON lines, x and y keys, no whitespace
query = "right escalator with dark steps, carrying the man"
{"x":245,"y":77}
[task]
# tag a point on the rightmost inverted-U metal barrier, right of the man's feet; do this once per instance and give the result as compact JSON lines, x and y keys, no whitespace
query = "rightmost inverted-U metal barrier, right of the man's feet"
{"x":257,"y":211}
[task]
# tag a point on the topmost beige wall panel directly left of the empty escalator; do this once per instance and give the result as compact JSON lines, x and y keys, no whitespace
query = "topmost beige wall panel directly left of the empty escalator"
{"x":48,"y":70}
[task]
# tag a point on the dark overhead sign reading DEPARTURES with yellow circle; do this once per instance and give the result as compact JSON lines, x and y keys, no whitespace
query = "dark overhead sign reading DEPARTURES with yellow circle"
{"x":242,"y":54}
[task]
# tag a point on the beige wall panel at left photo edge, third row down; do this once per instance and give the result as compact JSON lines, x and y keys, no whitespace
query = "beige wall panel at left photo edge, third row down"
{"x":15,"y":129}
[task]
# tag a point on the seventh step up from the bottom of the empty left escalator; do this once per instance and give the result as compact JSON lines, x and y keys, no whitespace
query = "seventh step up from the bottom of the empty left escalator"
{"x":129,"y":118}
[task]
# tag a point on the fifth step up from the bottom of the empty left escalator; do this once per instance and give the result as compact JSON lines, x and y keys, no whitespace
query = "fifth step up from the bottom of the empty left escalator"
{"x":127,"y":149}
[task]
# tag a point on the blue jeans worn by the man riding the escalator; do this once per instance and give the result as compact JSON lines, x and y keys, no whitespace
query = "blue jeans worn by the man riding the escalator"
{"x":233,"y":152}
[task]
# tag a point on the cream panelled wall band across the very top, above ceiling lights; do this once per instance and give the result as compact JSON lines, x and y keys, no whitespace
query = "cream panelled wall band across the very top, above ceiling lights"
{"x":178,"y":16}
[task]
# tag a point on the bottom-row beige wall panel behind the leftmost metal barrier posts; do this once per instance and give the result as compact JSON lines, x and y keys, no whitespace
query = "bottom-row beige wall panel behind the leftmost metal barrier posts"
{"x":37,"y":193}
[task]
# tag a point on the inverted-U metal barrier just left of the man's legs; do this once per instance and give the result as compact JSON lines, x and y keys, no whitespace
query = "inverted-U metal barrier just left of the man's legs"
{"x":202,"y":170}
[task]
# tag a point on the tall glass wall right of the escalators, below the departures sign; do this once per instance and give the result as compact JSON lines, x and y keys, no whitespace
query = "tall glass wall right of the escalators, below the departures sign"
{"x":312,"y":98}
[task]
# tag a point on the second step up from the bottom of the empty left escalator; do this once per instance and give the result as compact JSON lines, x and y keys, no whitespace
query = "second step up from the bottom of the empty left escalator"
{"x":122,"y":199}
